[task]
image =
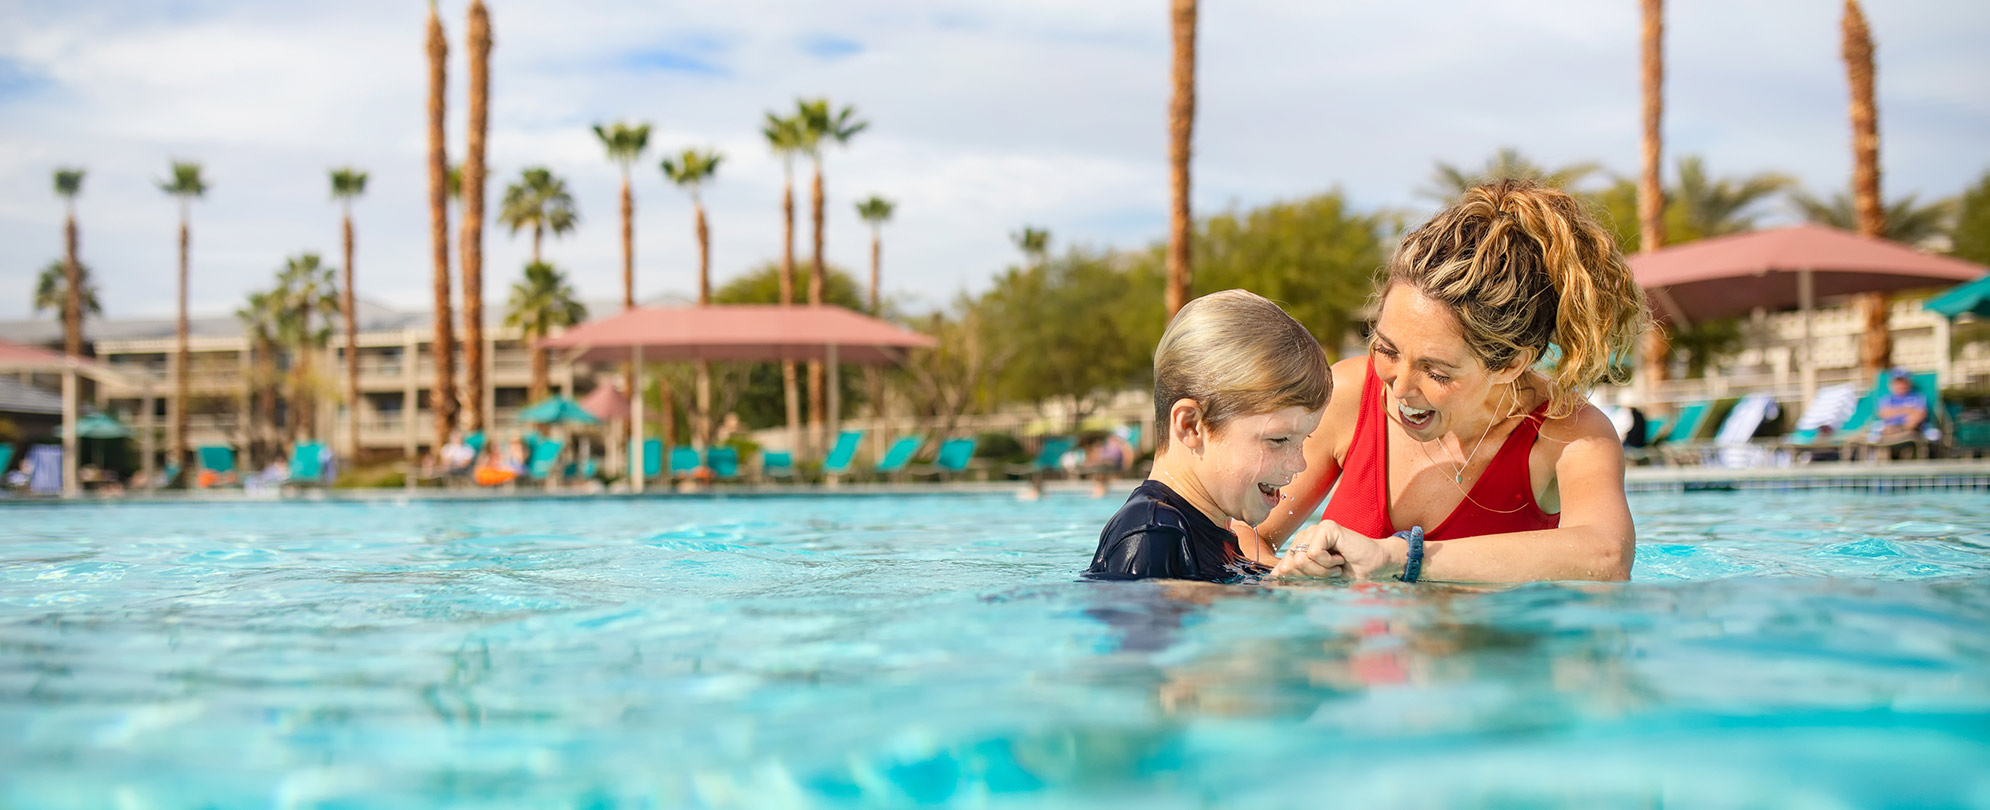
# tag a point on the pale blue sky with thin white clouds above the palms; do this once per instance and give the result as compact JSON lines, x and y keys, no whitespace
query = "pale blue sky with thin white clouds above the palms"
{"x":984,"y":118}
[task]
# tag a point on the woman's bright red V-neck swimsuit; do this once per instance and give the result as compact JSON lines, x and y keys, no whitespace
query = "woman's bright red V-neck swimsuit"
{"x":1499,"y":503}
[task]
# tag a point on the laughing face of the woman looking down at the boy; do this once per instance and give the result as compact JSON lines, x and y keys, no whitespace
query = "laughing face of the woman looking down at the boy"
{"x":1436,"y":383}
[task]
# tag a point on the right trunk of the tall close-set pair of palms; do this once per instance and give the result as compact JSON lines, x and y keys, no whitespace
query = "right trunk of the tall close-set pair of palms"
{"x":479,"y":39}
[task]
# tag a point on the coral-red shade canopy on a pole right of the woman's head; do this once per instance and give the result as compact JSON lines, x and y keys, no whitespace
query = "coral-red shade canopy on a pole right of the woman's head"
{"x":1786,"y":268}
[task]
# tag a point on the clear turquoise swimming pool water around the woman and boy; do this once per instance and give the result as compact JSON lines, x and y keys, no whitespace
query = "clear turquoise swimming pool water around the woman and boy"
{"x":1776,"y":650}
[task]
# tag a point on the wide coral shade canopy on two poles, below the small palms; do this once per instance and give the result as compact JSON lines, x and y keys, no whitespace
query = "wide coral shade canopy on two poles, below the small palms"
{"x":741,"y":333}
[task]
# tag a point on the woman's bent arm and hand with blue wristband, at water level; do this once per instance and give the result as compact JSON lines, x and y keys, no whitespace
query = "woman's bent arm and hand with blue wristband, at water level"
{"x":1595,"y":542}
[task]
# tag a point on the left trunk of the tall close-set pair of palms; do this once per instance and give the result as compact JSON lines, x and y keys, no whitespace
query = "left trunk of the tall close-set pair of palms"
{"x":443,"y":395}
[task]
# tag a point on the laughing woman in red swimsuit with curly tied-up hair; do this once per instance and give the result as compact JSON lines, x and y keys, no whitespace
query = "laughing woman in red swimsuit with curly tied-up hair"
{"x":1448,"y":429}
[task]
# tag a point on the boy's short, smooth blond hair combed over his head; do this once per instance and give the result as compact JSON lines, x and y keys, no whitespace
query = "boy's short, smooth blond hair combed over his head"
{"x":1237,"y":355}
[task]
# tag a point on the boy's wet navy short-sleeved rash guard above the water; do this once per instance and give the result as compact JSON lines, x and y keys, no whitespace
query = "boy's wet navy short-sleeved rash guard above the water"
{"x":1161,"y":536}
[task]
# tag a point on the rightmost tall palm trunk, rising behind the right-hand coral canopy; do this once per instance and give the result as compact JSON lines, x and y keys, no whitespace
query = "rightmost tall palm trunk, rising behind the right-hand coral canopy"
{"x":1878,"y":345}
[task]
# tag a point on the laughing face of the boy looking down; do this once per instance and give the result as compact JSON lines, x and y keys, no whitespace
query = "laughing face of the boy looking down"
{"x":1251,"y":459}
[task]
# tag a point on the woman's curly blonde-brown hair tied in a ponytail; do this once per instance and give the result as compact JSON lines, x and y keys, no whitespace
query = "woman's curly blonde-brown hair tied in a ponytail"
{"x":1525,"y":268}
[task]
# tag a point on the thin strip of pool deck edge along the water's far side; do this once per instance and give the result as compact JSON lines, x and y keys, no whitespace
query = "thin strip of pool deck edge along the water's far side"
{"x":1858,"y":477}
